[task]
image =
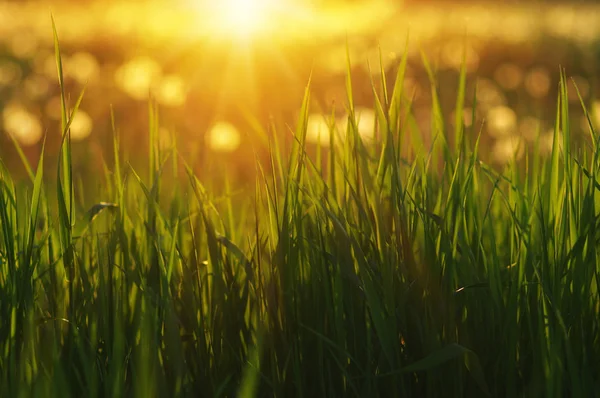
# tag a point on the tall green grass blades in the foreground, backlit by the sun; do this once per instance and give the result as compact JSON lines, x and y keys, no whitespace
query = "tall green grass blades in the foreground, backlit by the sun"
{"x":357,"y":273}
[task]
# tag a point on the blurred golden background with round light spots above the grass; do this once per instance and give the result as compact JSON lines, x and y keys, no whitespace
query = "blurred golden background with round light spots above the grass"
{"x":219,"y":69}
